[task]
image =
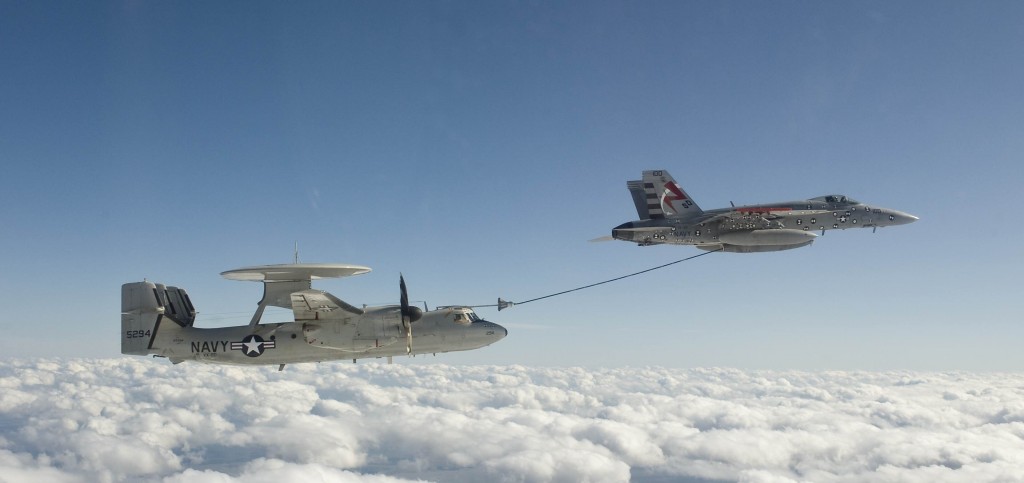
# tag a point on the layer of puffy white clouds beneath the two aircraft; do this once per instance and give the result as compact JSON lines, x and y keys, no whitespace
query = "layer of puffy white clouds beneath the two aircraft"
{"x":134,"y":419}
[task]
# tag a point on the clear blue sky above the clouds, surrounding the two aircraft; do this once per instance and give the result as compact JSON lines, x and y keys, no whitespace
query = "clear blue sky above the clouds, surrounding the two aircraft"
{"x":477,"y":147}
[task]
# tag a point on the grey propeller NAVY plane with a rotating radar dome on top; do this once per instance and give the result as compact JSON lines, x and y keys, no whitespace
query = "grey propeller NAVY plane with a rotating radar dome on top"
{"x":158,"y":320}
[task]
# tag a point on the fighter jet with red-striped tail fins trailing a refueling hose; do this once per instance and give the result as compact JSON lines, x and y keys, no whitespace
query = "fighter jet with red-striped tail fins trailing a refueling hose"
{"x":669,"y":215}
